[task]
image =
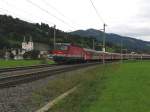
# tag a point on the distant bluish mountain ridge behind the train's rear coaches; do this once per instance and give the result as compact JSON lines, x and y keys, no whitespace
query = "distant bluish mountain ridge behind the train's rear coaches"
{"x":130,"y":43}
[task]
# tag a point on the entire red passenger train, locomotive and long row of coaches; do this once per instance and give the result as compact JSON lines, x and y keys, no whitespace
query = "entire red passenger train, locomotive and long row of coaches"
{"x":69,"y":53}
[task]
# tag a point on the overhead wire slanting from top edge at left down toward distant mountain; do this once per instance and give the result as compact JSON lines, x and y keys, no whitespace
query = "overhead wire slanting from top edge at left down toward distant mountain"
{"x":46,"y":11}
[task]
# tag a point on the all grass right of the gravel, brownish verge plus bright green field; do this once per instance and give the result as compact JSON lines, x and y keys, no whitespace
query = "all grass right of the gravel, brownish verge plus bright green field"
{"x":110,"y":88}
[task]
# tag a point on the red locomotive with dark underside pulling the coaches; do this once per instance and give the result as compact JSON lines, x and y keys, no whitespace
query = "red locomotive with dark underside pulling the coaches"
{"x":67,"y":53}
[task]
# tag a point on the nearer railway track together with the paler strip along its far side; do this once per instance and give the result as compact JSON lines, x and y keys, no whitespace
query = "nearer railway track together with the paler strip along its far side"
{"x":18,"y":77}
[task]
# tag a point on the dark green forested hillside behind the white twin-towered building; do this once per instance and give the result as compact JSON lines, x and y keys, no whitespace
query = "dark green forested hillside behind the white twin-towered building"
{"x":12,"y":31}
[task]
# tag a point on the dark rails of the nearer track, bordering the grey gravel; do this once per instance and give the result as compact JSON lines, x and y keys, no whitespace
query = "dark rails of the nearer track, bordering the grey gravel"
{"x":11,"y":81}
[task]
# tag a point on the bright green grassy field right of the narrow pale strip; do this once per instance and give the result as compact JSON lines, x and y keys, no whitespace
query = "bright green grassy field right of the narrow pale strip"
{"x":111,"y":88}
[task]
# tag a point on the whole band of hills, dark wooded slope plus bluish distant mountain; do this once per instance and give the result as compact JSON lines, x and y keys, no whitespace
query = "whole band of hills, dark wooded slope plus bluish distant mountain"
{"x":12,"y":31}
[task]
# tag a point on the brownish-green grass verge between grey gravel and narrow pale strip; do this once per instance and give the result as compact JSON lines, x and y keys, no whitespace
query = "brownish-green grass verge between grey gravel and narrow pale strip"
{"x":57,"y":86}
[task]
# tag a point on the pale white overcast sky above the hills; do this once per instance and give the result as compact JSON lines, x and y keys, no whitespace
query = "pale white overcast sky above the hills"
{"x":124,"y":17}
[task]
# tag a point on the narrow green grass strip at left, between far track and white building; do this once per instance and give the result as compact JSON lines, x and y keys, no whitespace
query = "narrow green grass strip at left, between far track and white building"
{"x":15,"y":63}
